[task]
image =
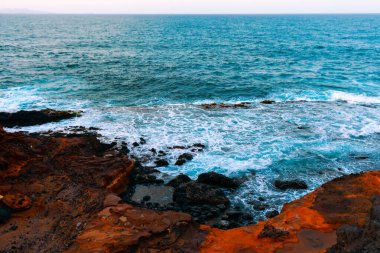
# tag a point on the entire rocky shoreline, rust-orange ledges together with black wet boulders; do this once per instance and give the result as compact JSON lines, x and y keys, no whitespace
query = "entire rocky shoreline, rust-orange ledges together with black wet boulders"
{"x":86,"y":196}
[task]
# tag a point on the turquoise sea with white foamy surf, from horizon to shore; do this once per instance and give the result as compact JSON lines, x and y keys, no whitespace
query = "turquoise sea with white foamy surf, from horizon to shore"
{"x":145,"y":76}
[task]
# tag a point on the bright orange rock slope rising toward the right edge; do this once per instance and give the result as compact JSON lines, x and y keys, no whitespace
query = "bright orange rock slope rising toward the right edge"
{"x":308,"y":224}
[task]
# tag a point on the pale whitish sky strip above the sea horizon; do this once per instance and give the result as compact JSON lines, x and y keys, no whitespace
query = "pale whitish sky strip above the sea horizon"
{"x":195,"y":6}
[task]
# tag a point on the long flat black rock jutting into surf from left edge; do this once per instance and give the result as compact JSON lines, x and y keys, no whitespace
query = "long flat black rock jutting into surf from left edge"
{"x":31,"y":118}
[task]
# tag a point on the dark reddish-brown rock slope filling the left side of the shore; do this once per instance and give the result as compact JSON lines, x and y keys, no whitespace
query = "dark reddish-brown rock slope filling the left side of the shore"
{"x":53,"y":186}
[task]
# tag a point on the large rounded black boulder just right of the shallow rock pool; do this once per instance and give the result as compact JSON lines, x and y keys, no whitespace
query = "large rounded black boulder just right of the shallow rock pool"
{"x":198,"y":193}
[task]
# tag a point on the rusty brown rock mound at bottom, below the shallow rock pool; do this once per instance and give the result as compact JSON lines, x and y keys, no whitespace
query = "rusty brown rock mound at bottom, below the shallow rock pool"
{"x":123,"y":228}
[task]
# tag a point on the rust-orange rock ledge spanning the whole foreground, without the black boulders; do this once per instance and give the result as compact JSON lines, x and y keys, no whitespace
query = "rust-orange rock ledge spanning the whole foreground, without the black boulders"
{"x":72,"y":184}
